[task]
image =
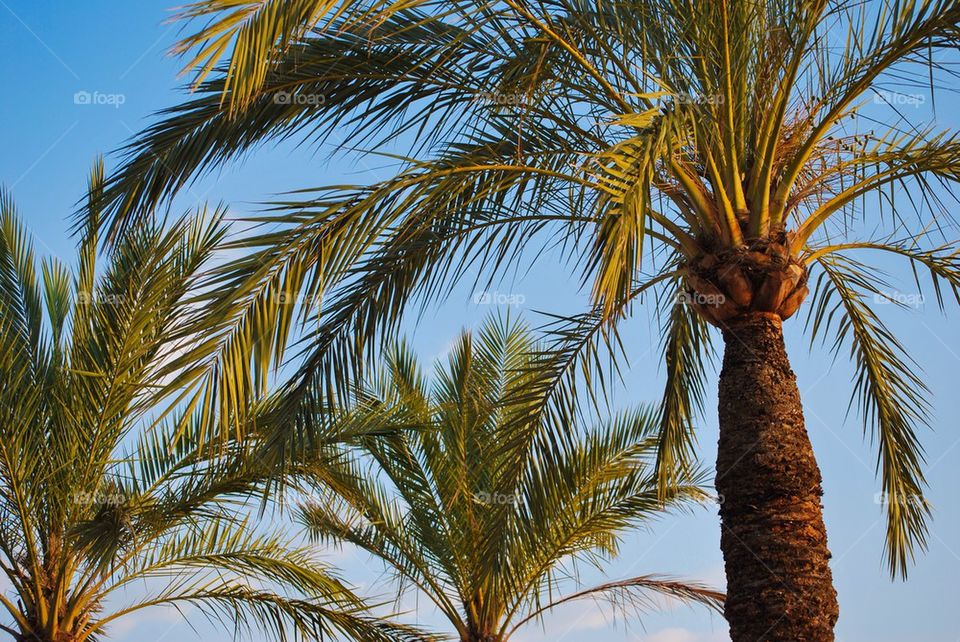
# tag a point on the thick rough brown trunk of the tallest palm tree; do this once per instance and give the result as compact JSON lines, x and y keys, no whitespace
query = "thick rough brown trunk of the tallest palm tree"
{"x":779,"y":585}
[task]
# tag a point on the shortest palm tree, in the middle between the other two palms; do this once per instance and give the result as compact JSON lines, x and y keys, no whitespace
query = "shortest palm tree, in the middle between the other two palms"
{"x":483,"y":502}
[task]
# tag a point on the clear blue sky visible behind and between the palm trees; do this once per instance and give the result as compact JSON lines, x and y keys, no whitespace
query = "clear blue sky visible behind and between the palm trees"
{"x":116,"y":51}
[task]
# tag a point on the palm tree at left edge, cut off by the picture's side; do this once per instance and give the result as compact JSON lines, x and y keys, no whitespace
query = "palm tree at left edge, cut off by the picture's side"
{"x":100,"y":521}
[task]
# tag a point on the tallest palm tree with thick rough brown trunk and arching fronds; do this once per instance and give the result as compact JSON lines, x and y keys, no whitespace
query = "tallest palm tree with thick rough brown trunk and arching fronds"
{"x":724,"y":154}
